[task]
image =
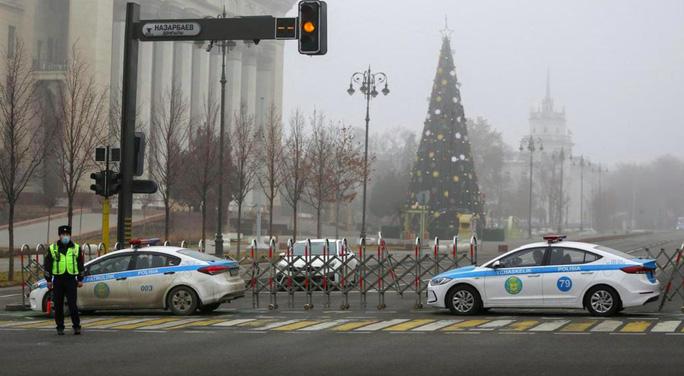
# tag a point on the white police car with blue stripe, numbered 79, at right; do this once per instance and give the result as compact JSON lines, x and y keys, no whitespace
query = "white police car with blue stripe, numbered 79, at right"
{"x":551,"y":274}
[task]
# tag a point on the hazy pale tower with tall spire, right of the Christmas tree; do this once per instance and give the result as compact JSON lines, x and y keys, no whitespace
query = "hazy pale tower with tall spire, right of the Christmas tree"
{"x":548,"y":124}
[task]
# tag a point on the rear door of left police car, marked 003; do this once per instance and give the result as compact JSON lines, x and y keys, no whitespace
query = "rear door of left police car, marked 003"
{"x":154,"y":273}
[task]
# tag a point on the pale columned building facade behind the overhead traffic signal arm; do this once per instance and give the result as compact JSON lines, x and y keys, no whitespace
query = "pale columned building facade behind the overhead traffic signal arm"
{"x":50,"y":29}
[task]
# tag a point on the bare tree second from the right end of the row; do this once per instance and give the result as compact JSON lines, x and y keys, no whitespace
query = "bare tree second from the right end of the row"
{"x":319,"y":189}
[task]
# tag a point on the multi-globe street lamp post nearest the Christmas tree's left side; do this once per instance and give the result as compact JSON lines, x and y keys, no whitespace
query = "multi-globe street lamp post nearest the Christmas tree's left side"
{"x":367,"y":81}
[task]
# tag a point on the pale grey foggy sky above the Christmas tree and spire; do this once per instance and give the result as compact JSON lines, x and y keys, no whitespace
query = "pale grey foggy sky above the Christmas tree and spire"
{"x":616,"y":66}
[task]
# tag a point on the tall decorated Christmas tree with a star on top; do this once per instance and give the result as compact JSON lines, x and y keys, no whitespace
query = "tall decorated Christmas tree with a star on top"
{"x":443,"y":180}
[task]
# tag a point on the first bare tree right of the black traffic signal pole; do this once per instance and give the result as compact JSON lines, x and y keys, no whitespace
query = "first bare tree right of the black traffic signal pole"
{"x":170,"y":129}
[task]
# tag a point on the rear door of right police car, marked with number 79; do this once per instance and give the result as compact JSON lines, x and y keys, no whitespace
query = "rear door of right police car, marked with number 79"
{"x":565,"y":285}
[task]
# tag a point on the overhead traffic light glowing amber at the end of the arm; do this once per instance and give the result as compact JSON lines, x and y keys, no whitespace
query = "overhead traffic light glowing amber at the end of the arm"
{"x":313,"y":34}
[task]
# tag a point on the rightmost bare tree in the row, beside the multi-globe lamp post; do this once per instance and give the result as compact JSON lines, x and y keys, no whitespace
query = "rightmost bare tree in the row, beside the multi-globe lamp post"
{"x":346,"y":169}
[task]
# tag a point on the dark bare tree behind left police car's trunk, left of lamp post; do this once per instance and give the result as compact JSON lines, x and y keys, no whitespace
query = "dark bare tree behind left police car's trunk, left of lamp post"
{"x":201,"y":161}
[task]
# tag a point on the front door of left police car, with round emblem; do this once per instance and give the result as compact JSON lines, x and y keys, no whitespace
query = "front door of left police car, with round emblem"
{"x":105,"y":284}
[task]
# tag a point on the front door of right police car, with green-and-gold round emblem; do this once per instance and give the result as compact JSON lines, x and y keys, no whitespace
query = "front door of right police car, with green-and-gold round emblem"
{"x":517,"y":281}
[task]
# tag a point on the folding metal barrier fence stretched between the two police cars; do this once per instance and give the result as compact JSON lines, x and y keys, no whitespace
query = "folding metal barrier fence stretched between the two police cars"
{"x":363,"y":269}
